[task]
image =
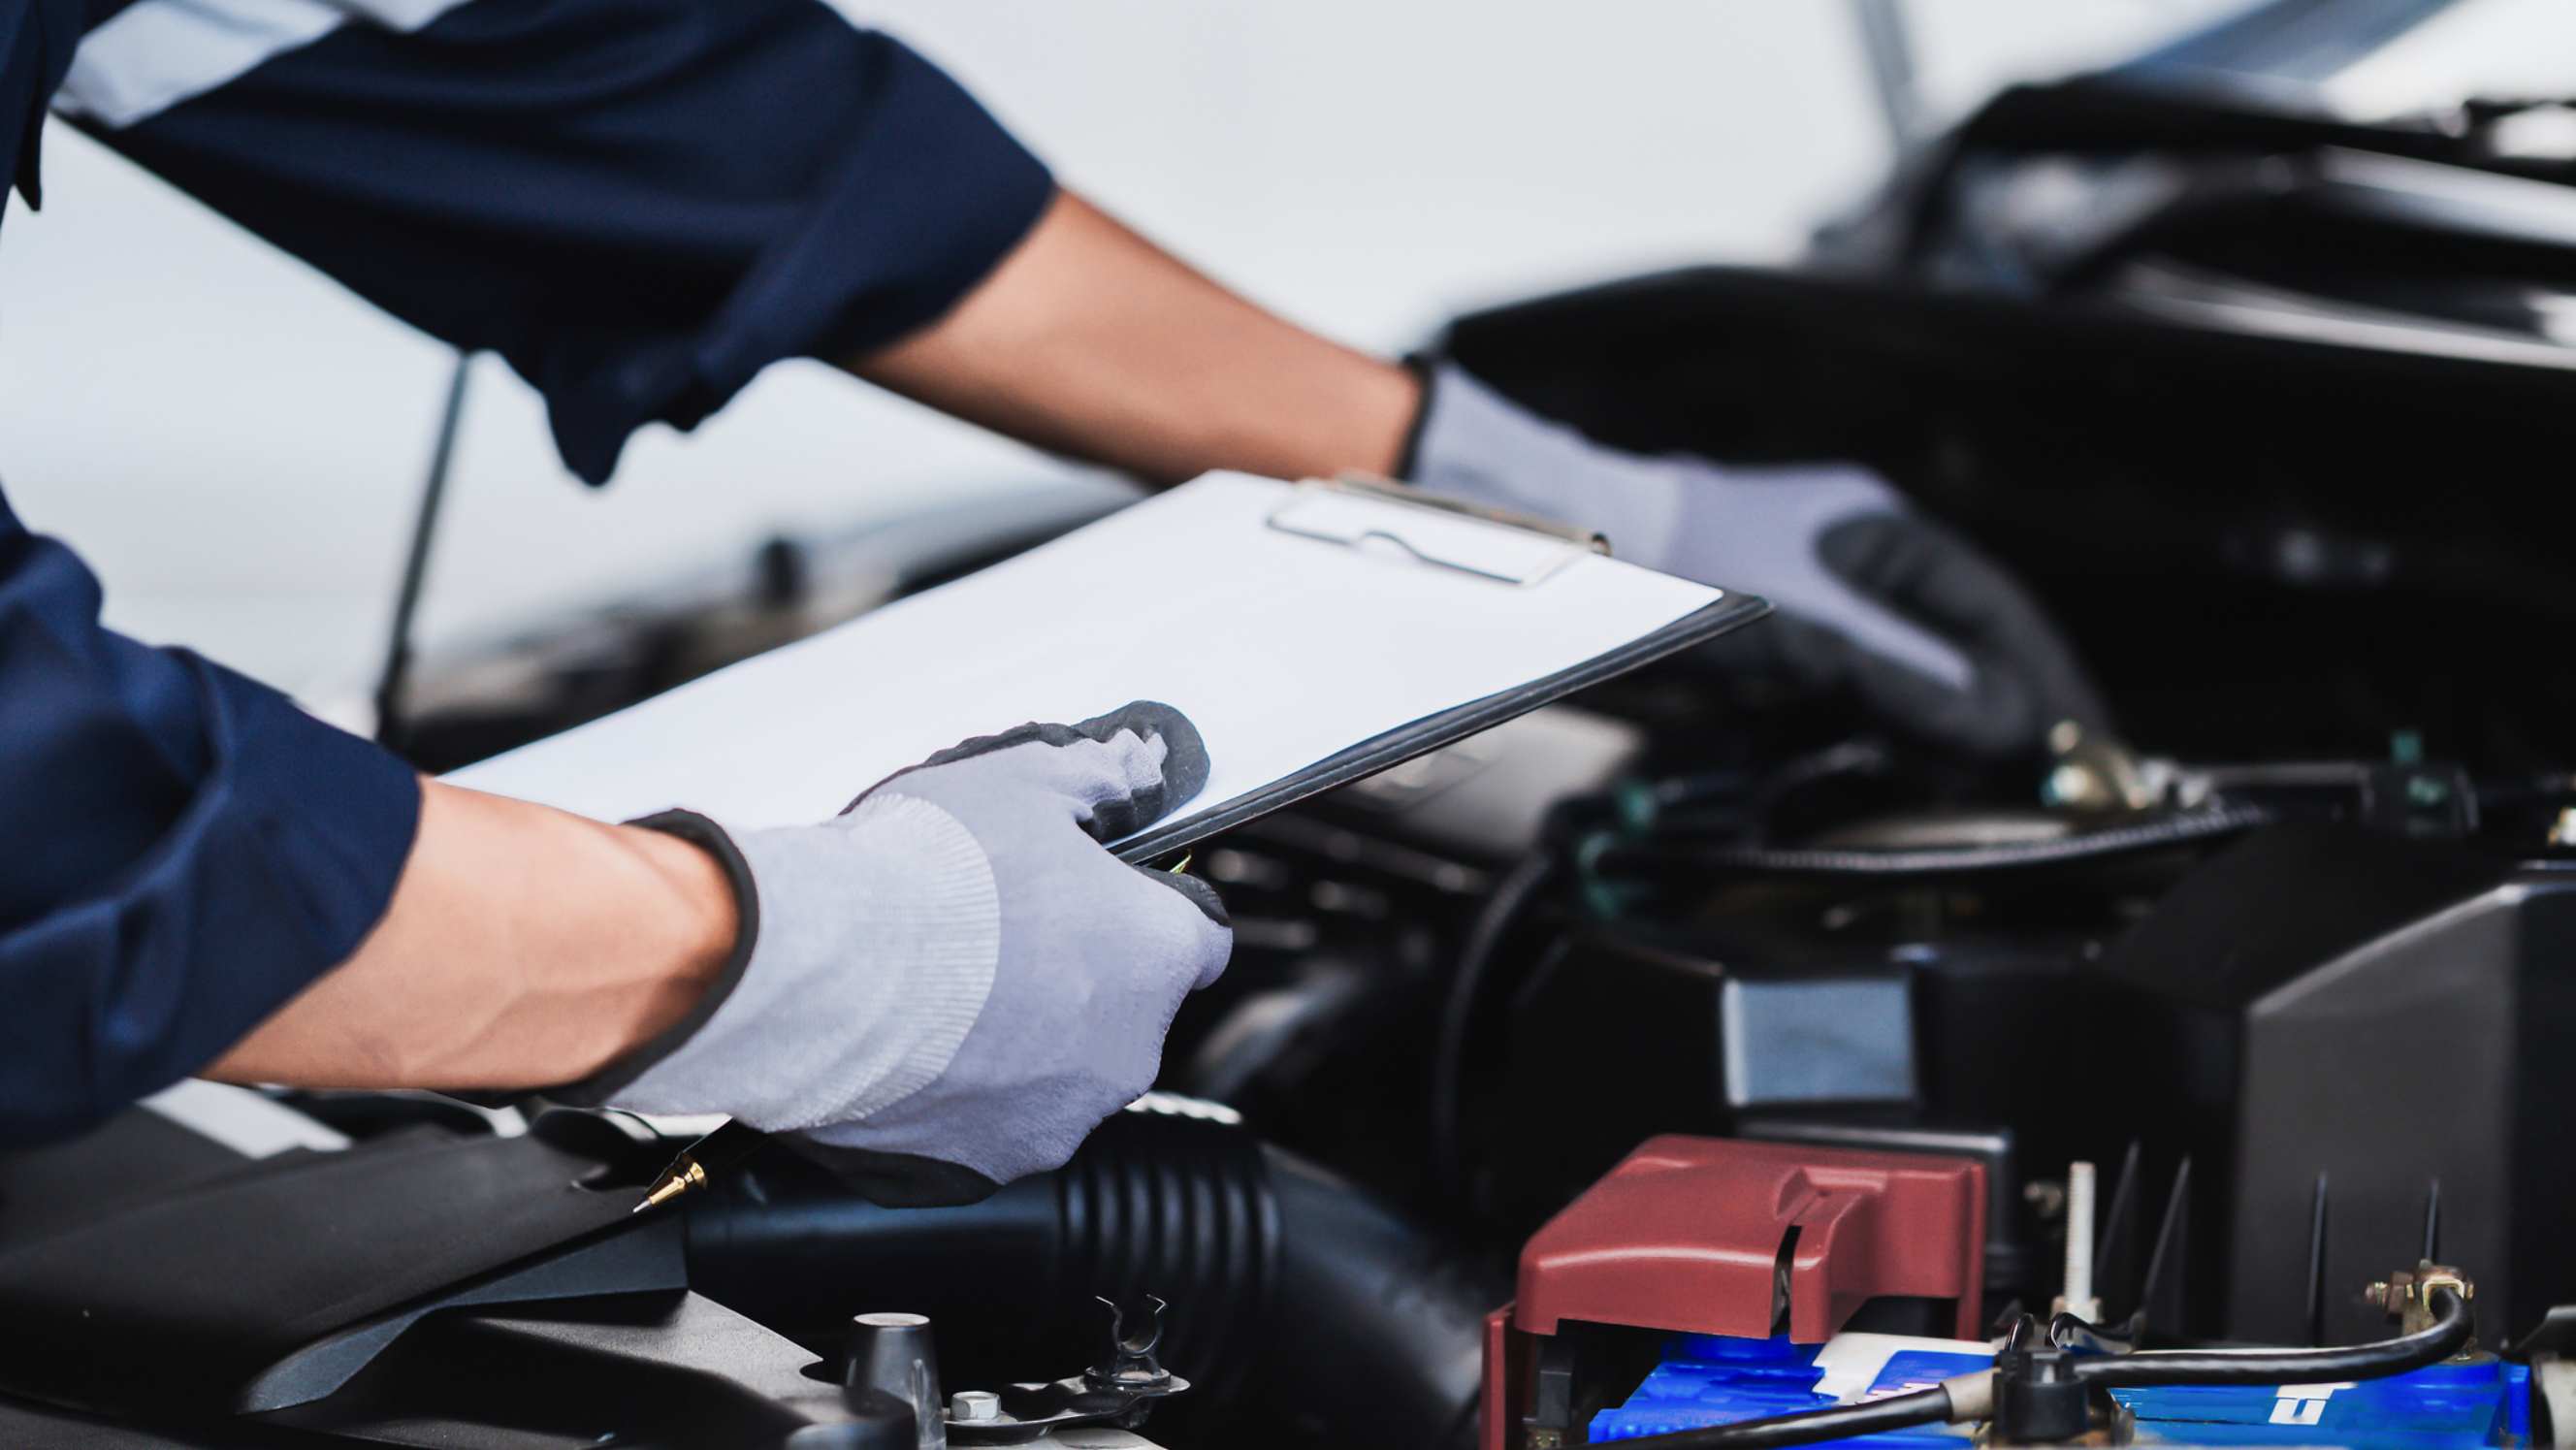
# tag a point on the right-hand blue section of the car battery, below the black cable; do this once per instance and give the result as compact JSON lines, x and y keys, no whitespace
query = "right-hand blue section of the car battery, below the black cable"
{"x":2441,"y":1408}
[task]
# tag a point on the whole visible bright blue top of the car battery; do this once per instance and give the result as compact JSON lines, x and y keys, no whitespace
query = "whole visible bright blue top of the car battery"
{"x":1707,"y":1379}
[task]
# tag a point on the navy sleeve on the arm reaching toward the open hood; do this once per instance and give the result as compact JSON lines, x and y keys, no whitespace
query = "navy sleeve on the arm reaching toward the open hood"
{"x":635,"y":202}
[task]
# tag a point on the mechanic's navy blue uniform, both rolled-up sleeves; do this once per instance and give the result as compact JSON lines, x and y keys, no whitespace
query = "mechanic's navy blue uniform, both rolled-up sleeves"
{"x":638,"y":202}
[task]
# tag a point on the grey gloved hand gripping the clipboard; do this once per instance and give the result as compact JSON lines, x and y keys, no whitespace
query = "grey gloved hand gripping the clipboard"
{"x":952,"y":983}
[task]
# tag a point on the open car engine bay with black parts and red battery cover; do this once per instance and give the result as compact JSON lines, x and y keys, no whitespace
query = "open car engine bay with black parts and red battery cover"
{"x":1681,"y":1057}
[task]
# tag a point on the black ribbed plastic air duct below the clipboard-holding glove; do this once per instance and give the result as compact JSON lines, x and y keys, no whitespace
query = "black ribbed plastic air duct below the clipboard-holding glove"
{"x":1297,"y":1304}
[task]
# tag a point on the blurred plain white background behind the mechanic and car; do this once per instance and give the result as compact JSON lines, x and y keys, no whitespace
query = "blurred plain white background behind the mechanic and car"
{"x":236,"y":444}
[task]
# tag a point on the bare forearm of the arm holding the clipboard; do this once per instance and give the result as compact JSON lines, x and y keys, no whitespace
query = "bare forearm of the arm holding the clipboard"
{"x":524,"y":949}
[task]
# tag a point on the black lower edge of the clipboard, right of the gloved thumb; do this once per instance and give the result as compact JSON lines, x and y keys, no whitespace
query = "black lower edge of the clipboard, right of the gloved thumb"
{"x":1446,"y":728}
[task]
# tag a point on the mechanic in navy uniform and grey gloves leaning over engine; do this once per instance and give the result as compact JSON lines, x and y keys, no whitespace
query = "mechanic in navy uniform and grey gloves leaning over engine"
{"x":640,"y":205}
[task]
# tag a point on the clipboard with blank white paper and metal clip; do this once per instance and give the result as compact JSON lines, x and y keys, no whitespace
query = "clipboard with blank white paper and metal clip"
{"x":1315,"y":632}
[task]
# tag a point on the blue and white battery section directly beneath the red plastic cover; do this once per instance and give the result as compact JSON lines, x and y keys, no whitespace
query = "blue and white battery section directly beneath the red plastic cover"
{"x":1709,"y":1379}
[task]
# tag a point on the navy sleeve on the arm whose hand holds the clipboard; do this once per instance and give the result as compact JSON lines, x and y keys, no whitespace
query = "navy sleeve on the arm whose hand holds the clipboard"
{"x":182,"y":851}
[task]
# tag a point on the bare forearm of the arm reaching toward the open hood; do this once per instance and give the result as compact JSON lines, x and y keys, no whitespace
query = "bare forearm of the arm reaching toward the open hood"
{"x":1091,"y":341}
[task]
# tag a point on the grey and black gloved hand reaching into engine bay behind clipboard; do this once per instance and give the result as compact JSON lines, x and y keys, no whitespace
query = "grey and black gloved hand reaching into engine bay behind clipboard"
{"x":1931,"y":632}
